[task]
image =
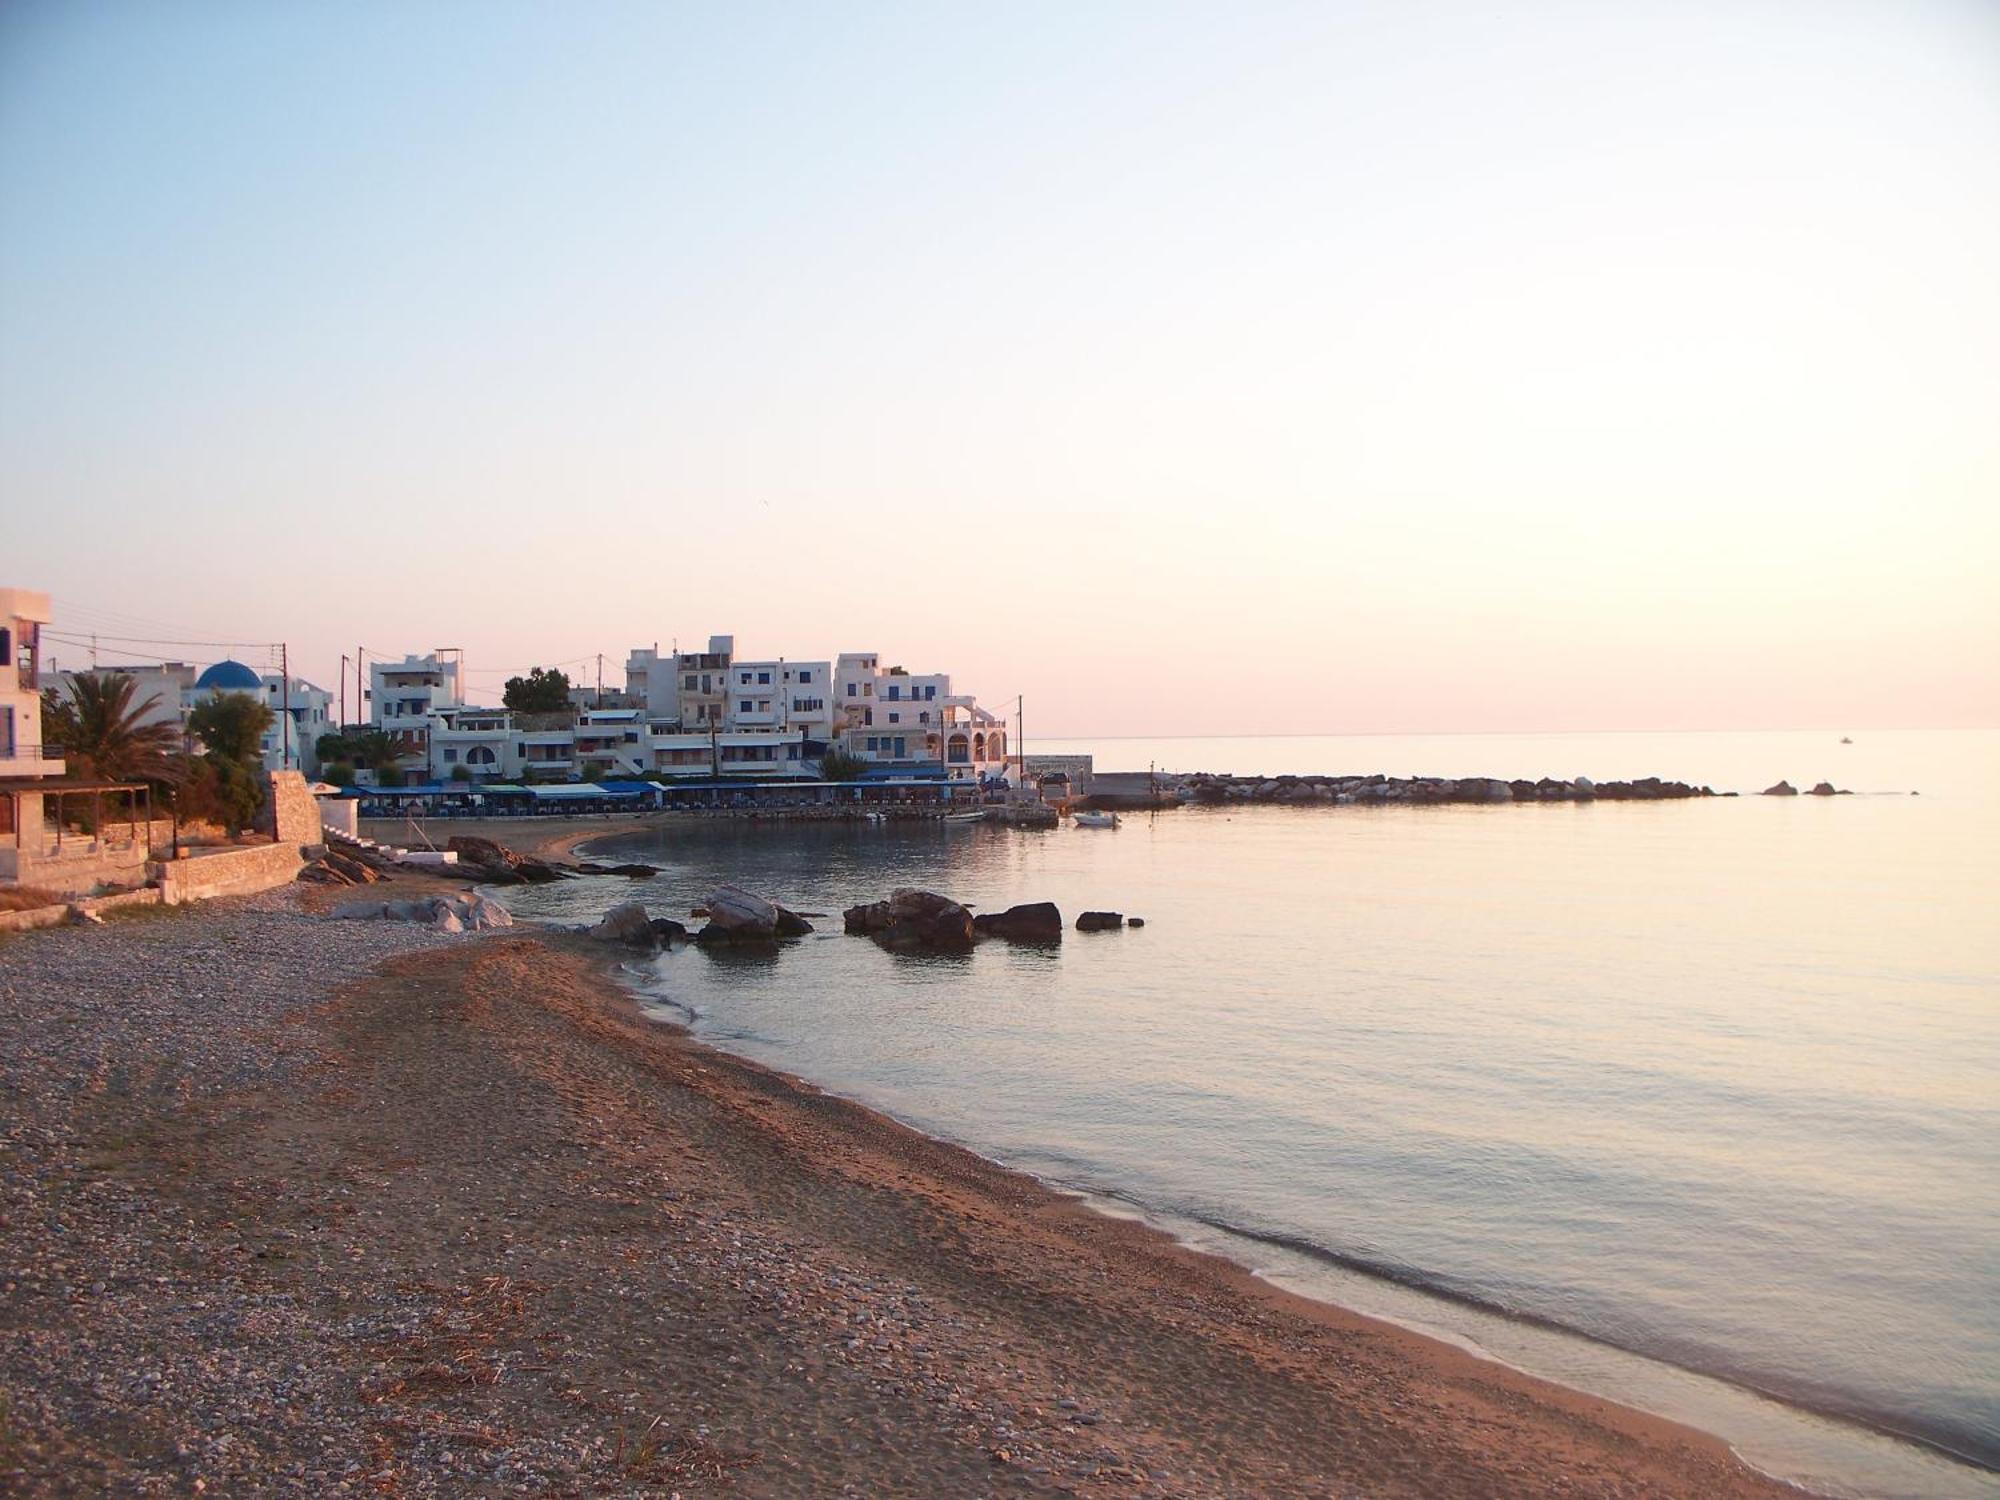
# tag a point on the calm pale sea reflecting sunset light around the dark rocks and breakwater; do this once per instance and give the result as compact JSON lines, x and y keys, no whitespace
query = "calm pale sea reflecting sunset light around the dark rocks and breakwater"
{"x":1691,"y":1105}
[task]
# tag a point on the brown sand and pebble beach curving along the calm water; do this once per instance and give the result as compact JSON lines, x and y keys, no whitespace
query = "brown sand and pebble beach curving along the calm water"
{"x":313,"y":1207}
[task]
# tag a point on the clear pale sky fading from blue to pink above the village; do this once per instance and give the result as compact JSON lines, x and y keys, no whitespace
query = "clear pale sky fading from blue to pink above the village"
{"x":1205,"y":369}
